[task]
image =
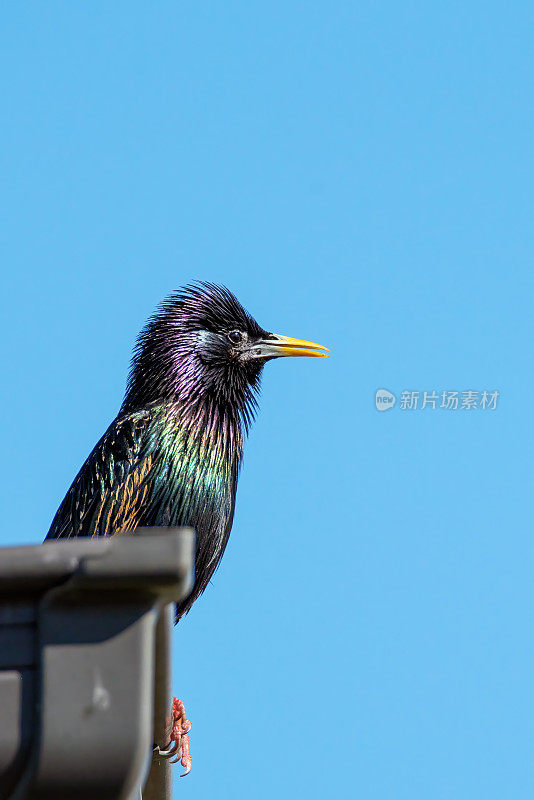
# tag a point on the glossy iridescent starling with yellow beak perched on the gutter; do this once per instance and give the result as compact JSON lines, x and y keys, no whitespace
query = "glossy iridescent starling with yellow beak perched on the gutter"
{"x":172,"y":455}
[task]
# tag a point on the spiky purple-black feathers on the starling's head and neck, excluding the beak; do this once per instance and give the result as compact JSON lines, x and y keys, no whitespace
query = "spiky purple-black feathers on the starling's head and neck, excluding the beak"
{"x":186,"y":358}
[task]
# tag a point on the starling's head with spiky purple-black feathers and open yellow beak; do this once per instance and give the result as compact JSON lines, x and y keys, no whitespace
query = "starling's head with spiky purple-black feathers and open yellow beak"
{"x":202,"y":347}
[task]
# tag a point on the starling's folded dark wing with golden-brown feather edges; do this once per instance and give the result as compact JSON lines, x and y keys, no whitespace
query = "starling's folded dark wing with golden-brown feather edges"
{"x":110,"y":489}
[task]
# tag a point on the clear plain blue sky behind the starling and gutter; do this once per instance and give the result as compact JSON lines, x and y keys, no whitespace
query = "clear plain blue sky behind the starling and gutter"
{"x":360,"y":174}
